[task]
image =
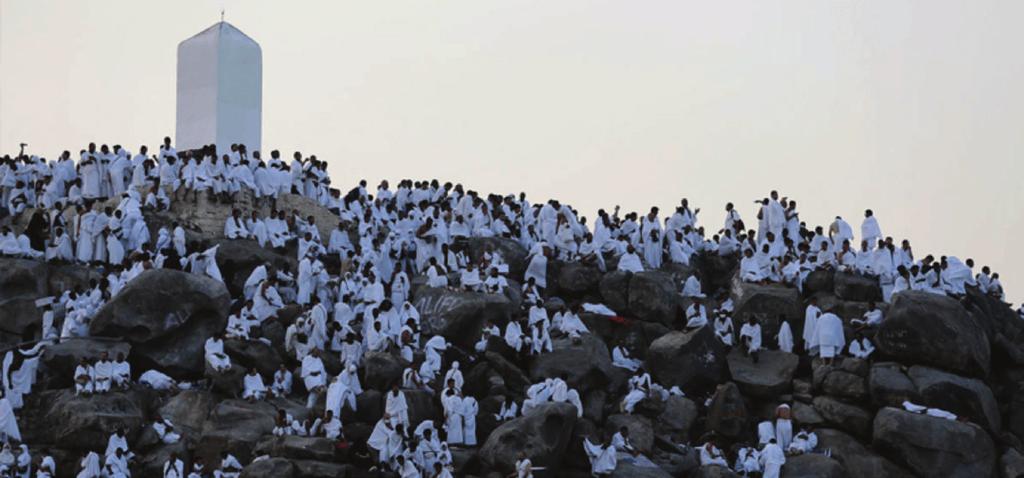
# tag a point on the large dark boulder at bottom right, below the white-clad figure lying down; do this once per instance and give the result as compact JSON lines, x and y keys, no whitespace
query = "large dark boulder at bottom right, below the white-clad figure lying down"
{"x":933,"y":447}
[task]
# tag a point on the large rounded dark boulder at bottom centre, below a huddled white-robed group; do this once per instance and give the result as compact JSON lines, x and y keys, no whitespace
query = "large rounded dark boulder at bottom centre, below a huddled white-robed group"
{"x":543,"y":436}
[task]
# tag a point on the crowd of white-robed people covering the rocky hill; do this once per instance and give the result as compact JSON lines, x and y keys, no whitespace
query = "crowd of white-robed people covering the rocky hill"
{"x":94,"y":211}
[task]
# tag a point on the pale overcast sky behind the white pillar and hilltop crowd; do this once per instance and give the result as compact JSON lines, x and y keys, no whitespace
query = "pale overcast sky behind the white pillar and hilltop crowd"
{"x":914,"y":109}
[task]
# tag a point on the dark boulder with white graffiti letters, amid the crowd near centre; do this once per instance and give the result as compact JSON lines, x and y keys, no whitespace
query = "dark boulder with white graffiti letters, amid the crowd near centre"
{"x":455,"y":314}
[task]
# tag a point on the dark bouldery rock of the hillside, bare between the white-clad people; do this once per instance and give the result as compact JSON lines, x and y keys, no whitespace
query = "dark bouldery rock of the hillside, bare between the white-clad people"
{"x":962,"y":356}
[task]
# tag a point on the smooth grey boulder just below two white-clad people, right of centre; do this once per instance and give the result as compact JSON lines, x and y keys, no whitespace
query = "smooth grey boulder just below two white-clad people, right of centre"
{"x":771,"y":377}
